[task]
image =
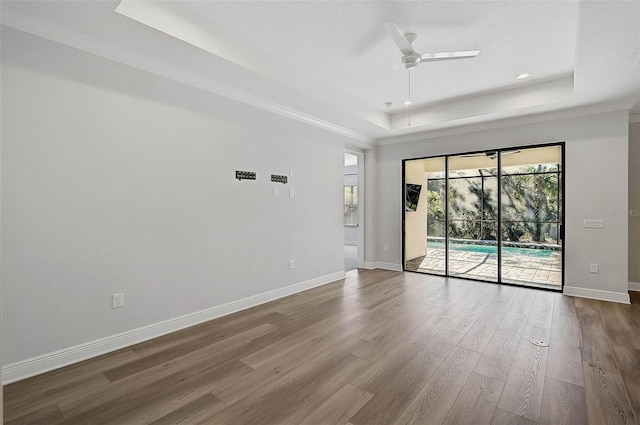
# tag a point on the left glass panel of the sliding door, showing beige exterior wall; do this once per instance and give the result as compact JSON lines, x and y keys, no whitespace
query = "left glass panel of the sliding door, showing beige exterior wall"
{"x":425,"y":215}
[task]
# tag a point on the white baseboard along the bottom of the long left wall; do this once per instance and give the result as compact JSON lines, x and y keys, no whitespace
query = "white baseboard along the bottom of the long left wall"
{"x":57,"y":359}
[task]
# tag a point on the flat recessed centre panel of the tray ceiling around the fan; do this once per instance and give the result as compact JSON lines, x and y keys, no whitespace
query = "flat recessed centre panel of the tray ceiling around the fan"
{"x":344,"y":43}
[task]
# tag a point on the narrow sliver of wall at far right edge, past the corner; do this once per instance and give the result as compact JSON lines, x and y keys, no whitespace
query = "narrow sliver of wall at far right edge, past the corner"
{"x":634,"y":204}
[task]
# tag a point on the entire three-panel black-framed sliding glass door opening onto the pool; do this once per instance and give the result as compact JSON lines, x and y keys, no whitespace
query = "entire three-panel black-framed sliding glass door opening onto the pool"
{"x":494,"y":216}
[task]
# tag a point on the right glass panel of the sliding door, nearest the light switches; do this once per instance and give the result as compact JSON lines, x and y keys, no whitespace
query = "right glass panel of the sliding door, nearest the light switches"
{"x":531,"y":213}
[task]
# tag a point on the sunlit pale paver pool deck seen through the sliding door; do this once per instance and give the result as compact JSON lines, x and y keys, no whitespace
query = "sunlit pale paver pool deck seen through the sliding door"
{"x":519,"y":269}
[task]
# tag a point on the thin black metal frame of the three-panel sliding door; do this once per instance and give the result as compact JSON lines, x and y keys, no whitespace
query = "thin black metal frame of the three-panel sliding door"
{"x":561,"y":232}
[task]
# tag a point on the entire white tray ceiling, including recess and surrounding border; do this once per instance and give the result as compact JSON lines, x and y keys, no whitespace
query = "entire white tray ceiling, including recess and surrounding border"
{"x":332,"y":64}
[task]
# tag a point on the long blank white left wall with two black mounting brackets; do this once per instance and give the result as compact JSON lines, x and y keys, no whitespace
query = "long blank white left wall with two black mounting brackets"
{"x":105,"y":192}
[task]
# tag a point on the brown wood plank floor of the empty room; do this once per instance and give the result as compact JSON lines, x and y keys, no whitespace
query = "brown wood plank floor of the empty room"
{"x":380,"y":347}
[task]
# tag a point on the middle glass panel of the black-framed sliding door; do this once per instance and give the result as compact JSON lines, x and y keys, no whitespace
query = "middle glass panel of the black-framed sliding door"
{"x":472,"y":243}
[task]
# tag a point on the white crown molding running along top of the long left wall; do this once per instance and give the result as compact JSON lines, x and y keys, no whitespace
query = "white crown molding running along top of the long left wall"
{"x":58,"y":34}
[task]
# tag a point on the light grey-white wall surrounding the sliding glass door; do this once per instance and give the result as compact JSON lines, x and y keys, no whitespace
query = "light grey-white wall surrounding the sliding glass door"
{"x":596,"y":182}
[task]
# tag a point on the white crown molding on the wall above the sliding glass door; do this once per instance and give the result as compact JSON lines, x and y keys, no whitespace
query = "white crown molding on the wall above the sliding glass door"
{"x":505,"y":122}
